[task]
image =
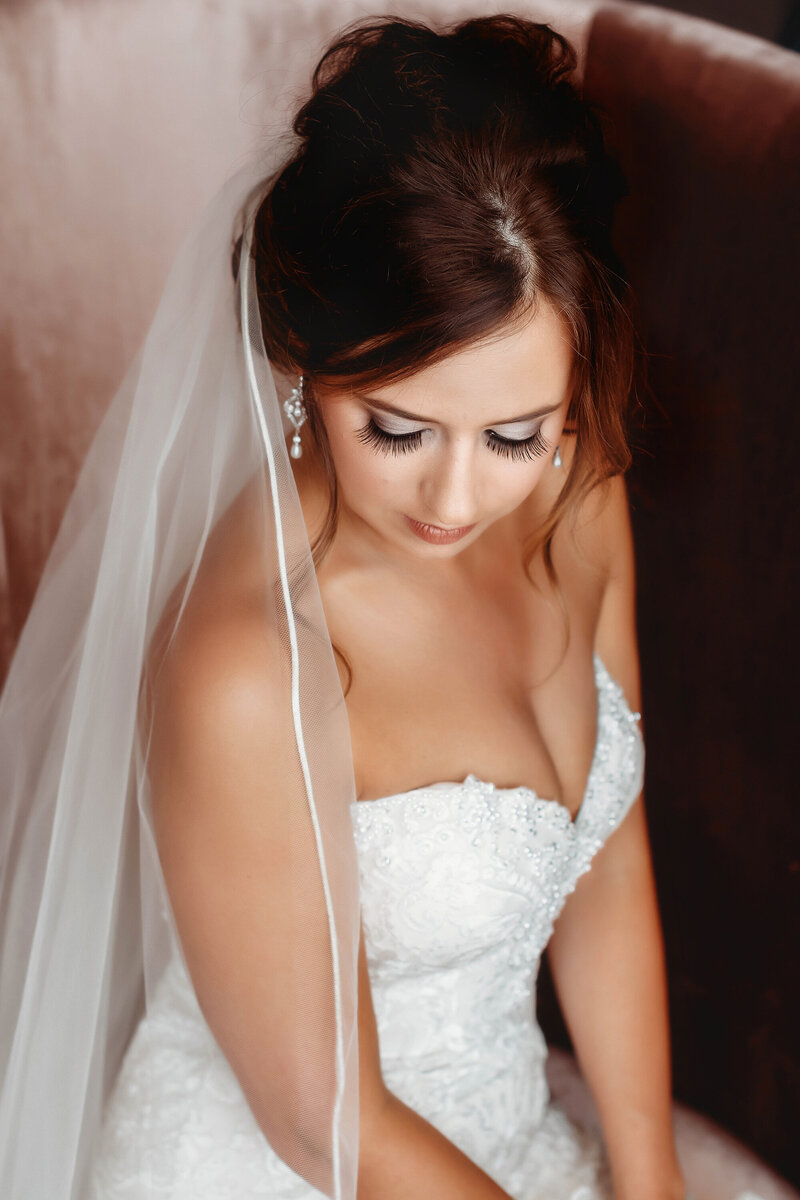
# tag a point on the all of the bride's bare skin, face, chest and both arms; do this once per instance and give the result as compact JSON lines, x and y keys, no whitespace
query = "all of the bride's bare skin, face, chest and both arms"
{"x":459,"y":667}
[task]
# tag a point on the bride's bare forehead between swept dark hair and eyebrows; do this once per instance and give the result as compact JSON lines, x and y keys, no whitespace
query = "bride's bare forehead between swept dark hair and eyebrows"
{"x":521,"y":368}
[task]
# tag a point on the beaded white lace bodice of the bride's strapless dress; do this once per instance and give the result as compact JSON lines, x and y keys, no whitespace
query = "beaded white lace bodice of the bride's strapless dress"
{"x":461,"y":885}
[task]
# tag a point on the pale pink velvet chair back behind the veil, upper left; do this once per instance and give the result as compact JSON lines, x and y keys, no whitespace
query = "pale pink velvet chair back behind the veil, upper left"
{"x":119,"y":123}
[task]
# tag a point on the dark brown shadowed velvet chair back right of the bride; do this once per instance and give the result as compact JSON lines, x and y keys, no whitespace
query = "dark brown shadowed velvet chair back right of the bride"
{"x":708,"y":127}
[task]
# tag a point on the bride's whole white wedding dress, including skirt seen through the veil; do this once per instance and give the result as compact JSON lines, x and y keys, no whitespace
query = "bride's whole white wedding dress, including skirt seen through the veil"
{"x":461,"y":884}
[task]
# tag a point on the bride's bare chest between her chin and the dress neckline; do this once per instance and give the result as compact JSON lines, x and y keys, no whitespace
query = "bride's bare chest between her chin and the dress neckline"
{"x":492,"y":679}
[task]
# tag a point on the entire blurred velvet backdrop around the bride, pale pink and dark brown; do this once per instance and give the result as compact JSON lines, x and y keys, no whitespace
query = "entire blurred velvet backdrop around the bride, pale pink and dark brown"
{"x":119,"y":119}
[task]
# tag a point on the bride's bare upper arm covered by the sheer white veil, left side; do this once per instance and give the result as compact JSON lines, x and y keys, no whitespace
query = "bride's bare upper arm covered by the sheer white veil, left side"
{"x":243,"y":878}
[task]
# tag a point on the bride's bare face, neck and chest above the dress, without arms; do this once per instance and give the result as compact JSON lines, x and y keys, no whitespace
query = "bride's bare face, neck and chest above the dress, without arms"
{"x":458,"y":661}
